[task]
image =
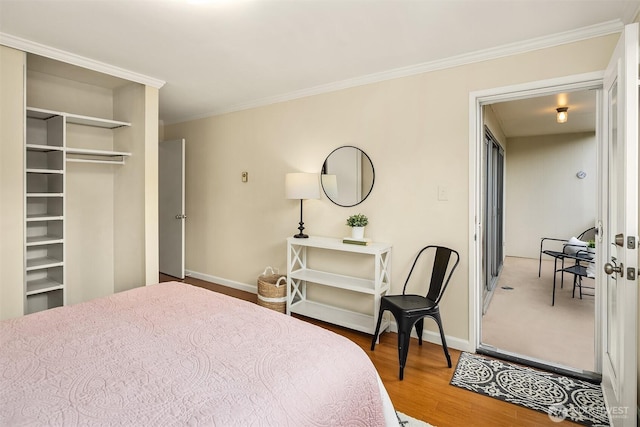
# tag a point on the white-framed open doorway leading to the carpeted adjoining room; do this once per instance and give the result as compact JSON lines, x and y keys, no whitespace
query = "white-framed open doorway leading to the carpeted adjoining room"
{"x":518,"y":186}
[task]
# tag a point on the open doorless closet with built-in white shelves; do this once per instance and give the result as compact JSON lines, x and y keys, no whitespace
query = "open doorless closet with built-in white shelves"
{"x":90,"y":186}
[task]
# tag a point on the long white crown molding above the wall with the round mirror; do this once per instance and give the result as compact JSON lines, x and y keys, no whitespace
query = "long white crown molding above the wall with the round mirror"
{"x":598,"y":30}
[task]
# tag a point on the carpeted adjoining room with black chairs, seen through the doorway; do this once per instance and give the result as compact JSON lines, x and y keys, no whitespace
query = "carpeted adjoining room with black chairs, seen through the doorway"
{"x":547,"y":197}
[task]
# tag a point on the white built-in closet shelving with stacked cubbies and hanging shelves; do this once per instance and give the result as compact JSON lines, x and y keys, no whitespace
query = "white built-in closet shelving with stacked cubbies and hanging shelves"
{"x":45,"y":169}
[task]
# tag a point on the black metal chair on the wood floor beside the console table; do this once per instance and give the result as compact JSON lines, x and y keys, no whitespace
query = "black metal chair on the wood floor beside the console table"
{"x":409,"y":310}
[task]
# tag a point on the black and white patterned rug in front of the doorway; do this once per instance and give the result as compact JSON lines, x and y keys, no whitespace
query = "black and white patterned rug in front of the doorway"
{"x":560,"y":397}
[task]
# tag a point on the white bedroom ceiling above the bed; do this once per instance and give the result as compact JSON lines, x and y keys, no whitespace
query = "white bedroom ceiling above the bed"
{"x":223,"y":55}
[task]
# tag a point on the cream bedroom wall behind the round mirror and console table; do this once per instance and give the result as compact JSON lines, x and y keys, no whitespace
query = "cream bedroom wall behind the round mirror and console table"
{"x":416,"y":131}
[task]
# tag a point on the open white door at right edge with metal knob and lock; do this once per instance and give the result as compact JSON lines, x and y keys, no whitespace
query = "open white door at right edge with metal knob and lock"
{"x":619,"y":230}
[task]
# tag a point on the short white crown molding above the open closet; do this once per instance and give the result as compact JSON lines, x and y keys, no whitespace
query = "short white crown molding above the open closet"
{"x":70,"y":58}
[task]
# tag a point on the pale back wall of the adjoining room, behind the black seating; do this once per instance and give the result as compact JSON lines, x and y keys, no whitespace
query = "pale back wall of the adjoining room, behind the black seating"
{"x":544,"y":197}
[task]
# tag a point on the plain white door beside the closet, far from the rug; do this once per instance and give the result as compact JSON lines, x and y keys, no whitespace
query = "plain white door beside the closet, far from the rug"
{"x":171,"y":207}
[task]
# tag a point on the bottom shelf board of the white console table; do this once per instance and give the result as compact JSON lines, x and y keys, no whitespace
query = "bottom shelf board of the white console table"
{"x":337,"y":316}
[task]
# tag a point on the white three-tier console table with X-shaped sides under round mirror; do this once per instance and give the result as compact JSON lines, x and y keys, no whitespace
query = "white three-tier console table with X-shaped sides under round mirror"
{"x":298,"y":275}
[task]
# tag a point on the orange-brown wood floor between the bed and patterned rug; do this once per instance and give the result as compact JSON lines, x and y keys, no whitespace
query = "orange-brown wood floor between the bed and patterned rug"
{"x":425,"y":392}
